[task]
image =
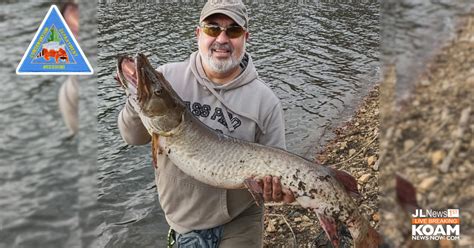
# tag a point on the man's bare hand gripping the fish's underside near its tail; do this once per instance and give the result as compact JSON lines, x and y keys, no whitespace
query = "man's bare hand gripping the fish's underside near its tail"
{"x":273,"y":191}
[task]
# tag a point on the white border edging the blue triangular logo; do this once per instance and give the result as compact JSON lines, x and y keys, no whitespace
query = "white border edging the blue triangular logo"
{"x":74,"y":40}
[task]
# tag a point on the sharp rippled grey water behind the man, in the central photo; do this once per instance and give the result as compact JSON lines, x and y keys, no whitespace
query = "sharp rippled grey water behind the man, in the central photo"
{"x":320,"y":60}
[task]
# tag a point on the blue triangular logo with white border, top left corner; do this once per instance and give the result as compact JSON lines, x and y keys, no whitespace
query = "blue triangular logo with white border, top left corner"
{"x":54,"y":50}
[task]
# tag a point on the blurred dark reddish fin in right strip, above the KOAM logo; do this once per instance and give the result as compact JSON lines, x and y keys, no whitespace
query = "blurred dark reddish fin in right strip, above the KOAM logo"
{"x":406,"y":194}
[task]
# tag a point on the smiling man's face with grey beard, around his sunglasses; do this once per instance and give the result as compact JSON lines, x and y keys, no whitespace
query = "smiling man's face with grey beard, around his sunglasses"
{"x":221,"y":54}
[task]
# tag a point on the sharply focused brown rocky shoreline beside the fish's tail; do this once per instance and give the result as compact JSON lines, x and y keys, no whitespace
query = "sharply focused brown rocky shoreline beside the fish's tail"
{"x":353,"y":149}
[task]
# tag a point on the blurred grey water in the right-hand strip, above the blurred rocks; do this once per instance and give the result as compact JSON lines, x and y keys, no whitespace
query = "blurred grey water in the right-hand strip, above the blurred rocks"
{"x":413,"y":31}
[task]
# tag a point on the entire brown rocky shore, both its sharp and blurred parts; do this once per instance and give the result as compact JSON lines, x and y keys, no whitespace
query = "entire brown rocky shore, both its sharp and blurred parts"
{"x":427,"y":140}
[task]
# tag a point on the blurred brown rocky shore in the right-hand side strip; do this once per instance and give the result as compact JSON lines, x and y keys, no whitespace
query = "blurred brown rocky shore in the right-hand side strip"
{"x":428,"y":140}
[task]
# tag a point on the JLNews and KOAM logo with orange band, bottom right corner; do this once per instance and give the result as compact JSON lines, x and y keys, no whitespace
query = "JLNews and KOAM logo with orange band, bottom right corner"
{"x":431,"y":224}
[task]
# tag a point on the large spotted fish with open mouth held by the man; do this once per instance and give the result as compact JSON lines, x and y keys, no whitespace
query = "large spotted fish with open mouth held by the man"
{"x":225,"y":162}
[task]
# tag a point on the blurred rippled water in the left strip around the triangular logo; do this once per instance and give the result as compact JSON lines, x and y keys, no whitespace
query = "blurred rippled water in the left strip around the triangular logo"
{"x":41,"y":171}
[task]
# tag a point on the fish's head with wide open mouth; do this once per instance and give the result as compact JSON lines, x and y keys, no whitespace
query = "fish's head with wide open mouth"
{"x":161,"y":109}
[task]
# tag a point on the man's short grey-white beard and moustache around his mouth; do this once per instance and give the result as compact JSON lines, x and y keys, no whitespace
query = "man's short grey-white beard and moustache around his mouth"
{"x":221,"y":65}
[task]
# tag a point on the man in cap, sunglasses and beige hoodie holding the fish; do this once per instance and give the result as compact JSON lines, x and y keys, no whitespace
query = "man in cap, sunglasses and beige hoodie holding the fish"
{"x":220,"y":86}
